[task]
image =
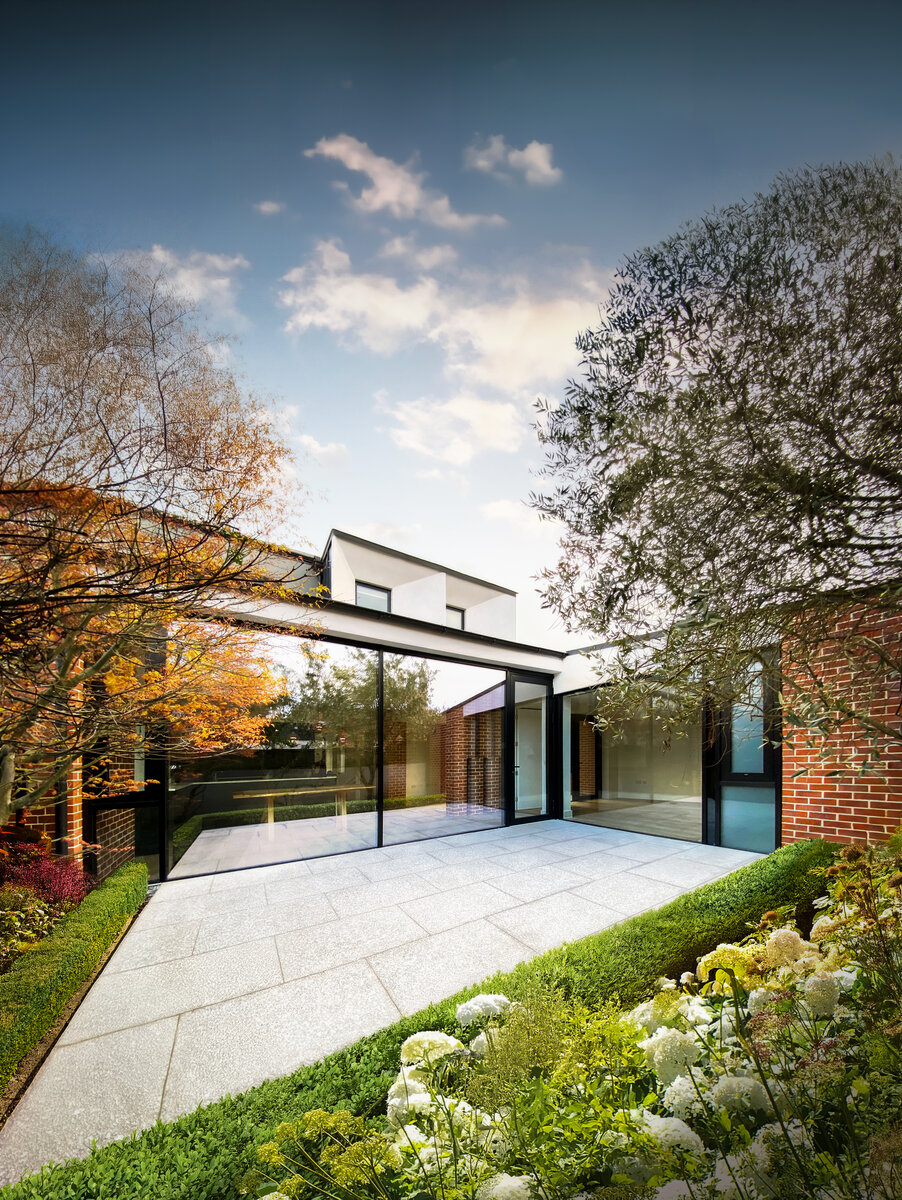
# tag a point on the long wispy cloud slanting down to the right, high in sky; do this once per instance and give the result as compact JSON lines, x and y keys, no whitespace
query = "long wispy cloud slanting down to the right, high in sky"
{"x":396,"y":189}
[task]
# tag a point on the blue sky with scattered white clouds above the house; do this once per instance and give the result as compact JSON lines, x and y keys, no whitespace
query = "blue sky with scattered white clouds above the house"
{"x":404,"y":214}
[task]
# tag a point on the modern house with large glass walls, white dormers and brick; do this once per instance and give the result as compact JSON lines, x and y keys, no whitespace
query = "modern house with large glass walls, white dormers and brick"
{"x":420,"y":715}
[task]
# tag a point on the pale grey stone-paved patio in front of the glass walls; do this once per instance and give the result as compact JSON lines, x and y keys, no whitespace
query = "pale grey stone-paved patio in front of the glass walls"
{"x":228,"y":980}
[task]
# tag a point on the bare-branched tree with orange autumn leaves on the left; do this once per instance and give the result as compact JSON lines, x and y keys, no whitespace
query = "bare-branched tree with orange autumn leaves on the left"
{"x":139,"y":484}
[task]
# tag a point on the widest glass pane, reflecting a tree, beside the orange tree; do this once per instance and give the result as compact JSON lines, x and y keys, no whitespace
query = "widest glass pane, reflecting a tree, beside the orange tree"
{"x":308,"y":789}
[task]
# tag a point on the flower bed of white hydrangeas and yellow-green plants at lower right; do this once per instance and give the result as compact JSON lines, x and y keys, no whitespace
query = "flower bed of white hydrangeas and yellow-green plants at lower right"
{"x":773,"y":1071}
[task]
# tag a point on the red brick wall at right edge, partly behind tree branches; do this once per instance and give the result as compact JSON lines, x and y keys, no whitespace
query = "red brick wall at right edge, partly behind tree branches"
{"x":850,"y":806}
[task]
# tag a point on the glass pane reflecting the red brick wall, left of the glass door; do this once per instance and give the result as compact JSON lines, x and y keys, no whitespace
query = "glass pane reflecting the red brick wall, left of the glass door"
{"x":444,"y":733}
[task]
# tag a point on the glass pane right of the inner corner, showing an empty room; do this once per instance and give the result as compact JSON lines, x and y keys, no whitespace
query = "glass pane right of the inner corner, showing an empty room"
{"x":632,"y":781}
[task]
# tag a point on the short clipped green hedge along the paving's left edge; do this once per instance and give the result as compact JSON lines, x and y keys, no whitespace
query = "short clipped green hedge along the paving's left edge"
{"x":40,"y":985}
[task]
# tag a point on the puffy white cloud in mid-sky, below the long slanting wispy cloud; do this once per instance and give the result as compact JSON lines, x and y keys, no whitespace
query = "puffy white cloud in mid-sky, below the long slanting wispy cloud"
{"x":372,"y":310}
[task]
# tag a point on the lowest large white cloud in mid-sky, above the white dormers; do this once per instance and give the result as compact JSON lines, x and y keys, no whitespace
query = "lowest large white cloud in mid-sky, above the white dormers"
{"x":456,"y":430}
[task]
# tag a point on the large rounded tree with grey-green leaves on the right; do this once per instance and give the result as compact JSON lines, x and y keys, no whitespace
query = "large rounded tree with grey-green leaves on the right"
{"x":729,"y":467}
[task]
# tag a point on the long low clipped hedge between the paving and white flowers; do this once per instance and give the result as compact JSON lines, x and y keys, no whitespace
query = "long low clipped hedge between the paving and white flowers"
{"x":200,"y":1156}
